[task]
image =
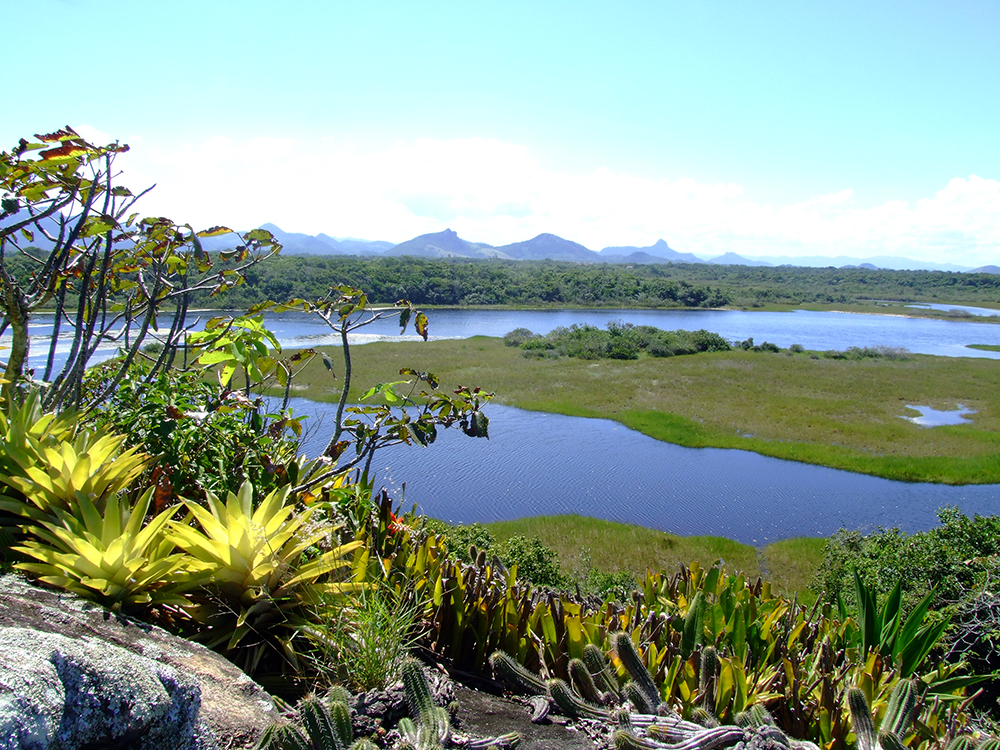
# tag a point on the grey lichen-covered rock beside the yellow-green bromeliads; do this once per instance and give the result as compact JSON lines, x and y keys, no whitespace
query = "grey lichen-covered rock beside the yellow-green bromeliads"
{"x":75,"y":676}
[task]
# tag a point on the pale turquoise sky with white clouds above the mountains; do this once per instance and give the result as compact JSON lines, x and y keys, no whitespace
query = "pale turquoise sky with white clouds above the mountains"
{"x":779,"y":129}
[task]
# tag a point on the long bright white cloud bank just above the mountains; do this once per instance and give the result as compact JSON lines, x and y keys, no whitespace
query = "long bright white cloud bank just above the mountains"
{"x":496,"y":192}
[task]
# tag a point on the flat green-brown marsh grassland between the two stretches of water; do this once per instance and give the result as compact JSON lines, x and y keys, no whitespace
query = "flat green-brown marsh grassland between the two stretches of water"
{"x":805,"y":407}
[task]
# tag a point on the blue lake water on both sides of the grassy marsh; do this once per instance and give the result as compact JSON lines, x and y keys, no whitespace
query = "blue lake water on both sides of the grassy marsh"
{"x":536,"y":464}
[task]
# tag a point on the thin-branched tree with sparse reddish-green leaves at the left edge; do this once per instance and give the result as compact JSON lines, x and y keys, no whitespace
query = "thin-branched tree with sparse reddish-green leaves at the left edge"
{"x":70,"y":242}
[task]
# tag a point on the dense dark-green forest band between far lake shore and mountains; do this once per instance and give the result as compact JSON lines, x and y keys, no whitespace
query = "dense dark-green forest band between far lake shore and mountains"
{"x":500,"y":282}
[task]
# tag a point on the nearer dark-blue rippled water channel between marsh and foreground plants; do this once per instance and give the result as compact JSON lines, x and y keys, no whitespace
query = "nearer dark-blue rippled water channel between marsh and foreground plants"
{"x":543,"y":464}
